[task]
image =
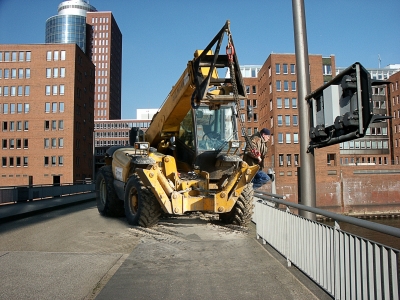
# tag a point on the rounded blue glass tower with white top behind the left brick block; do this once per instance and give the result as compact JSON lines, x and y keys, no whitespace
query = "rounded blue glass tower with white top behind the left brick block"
{"x":69,"y":26}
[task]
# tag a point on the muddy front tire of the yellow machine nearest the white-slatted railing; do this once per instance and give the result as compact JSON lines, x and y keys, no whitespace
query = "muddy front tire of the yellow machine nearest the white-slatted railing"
{"x":242,"y":211}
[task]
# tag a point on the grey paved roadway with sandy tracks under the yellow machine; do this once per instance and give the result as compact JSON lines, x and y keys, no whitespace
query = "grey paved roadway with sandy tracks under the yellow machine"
{"x":74,"y":253}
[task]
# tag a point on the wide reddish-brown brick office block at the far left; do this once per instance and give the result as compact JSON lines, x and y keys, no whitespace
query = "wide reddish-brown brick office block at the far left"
{"x":46,"y":109}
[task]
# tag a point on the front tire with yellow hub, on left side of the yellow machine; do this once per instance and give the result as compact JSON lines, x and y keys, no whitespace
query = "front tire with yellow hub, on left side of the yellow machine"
{"x":141,"y":206}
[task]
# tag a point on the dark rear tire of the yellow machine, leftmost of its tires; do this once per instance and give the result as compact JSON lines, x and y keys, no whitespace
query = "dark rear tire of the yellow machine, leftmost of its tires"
{"x":108,"y":203}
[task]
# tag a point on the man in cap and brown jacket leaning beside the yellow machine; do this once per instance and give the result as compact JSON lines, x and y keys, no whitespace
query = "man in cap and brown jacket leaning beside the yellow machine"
{"x":255,"y":153}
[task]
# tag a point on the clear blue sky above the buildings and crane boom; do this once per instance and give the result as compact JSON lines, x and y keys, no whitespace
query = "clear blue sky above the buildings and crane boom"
{"x":160,"y":36}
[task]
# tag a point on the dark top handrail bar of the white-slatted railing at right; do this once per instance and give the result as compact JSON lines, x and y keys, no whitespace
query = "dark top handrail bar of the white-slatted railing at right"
{"x":358,"y":222}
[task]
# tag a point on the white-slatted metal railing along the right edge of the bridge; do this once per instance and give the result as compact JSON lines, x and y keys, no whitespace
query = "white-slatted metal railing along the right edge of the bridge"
{"x":345,"y":265}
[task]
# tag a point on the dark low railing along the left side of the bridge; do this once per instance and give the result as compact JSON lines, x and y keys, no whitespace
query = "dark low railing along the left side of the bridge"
{"x":16,"y":194}
